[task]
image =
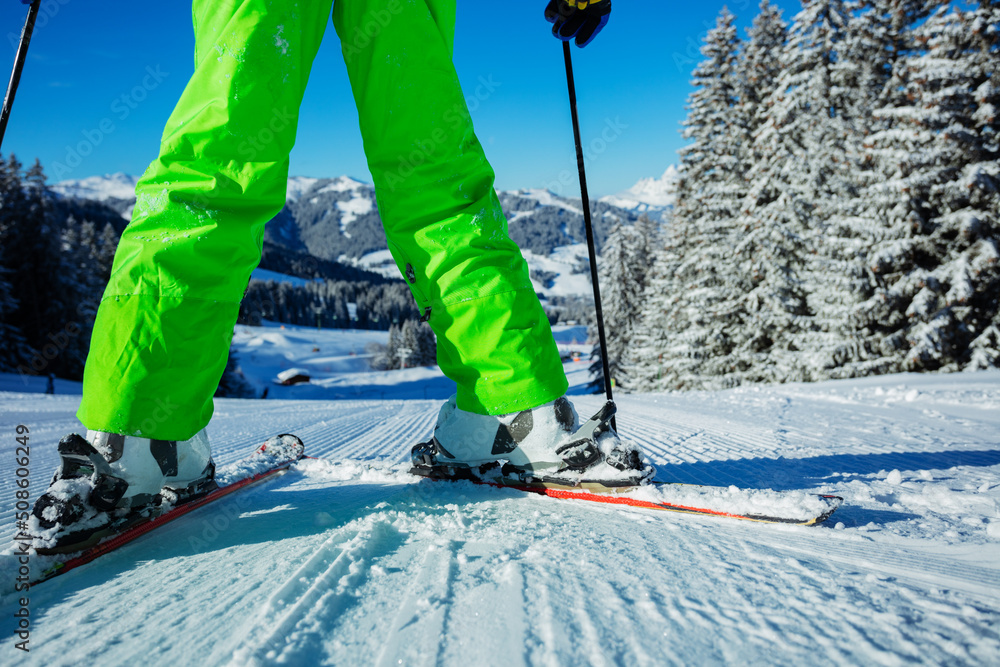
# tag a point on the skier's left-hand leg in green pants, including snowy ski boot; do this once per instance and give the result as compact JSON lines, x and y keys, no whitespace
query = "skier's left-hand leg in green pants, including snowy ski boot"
{"x":164,"y":326}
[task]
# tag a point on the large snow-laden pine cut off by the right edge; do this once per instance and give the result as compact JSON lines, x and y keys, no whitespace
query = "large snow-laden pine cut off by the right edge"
{"x":935,"y":304}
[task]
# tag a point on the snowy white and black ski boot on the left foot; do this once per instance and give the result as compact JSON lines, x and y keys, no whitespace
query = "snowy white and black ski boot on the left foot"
{"x":107,"y":482}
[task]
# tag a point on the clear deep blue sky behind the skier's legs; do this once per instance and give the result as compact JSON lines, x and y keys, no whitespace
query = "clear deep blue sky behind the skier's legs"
{"x":635,"y":76}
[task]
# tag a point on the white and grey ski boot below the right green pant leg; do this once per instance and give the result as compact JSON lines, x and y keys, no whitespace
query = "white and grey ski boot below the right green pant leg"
{"x":544,"y":446}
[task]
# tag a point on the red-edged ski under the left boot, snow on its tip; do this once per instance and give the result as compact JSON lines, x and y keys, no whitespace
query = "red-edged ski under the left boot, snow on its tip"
{"x":269,"y":460}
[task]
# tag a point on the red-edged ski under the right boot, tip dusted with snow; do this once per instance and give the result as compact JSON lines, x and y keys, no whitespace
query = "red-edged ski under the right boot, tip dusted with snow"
{"x":758,"y":505}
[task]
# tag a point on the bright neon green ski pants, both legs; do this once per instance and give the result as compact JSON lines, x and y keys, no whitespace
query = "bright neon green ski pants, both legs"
{"x":166,"y":321}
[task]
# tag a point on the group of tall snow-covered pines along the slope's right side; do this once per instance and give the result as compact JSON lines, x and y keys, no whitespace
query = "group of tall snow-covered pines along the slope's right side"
{"x":837,"y":212}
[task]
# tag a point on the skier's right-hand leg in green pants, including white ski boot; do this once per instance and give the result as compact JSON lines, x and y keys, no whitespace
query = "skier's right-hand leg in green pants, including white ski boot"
{"x":448,"y":236}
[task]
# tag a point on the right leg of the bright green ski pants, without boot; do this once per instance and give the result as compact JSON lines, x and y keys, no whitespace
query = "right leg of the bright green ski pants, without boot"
{"x":443,"y":221}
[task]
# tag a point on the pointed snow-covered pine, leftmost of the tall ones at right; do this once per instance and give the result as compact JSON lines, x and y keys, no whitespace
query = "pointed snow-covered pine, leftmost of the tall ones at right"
{"x":690,"y":321}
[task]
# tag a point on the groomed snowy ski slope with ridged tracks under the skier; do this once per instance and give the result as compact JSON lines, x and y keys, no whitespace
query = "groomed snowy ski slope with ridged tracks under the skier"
{"x":349,"y":560}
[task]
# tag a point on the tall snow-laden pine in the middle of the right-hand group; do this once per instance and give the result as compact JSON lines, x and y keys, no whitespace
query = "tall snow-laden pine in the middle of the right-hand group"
{"x":801,"y":179}
